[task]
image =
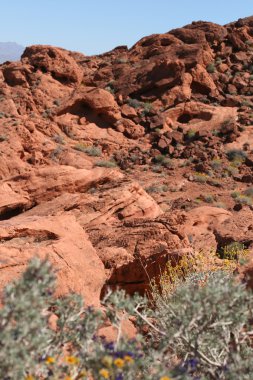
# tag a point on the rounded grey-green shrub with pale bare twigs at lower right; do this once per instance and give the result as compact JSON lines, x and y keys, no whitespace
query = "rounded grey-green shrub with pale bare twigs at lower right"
{"x":205,"y":323}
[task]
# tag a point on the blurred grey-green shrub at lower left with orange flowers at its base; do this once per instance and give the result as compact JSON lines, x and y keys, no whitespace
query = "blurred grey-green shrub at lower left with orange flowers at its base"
{"x":30,"y":350}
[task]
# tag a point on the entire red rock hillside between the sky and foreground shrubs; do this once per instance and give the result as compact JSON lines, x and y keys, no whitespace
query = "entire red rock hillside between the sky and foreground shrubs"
{"x":112,"y":165}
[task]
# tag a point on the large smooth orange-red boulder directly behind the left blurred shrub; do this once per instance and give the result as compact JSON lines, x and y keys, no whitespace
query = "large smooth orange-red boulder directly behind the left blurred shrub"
{"x":63,"y":242}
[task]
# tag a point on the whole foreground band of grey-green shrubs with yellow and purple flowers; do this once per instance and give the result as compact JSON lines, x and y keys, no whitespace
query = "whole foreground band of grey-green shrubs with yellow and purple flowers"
{"x":201,"y":319}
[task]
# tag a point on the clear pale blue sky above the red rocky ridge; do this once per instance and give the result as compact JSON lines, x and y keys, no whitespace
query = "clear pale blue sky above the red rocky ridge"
{"x":96,"y":26}
